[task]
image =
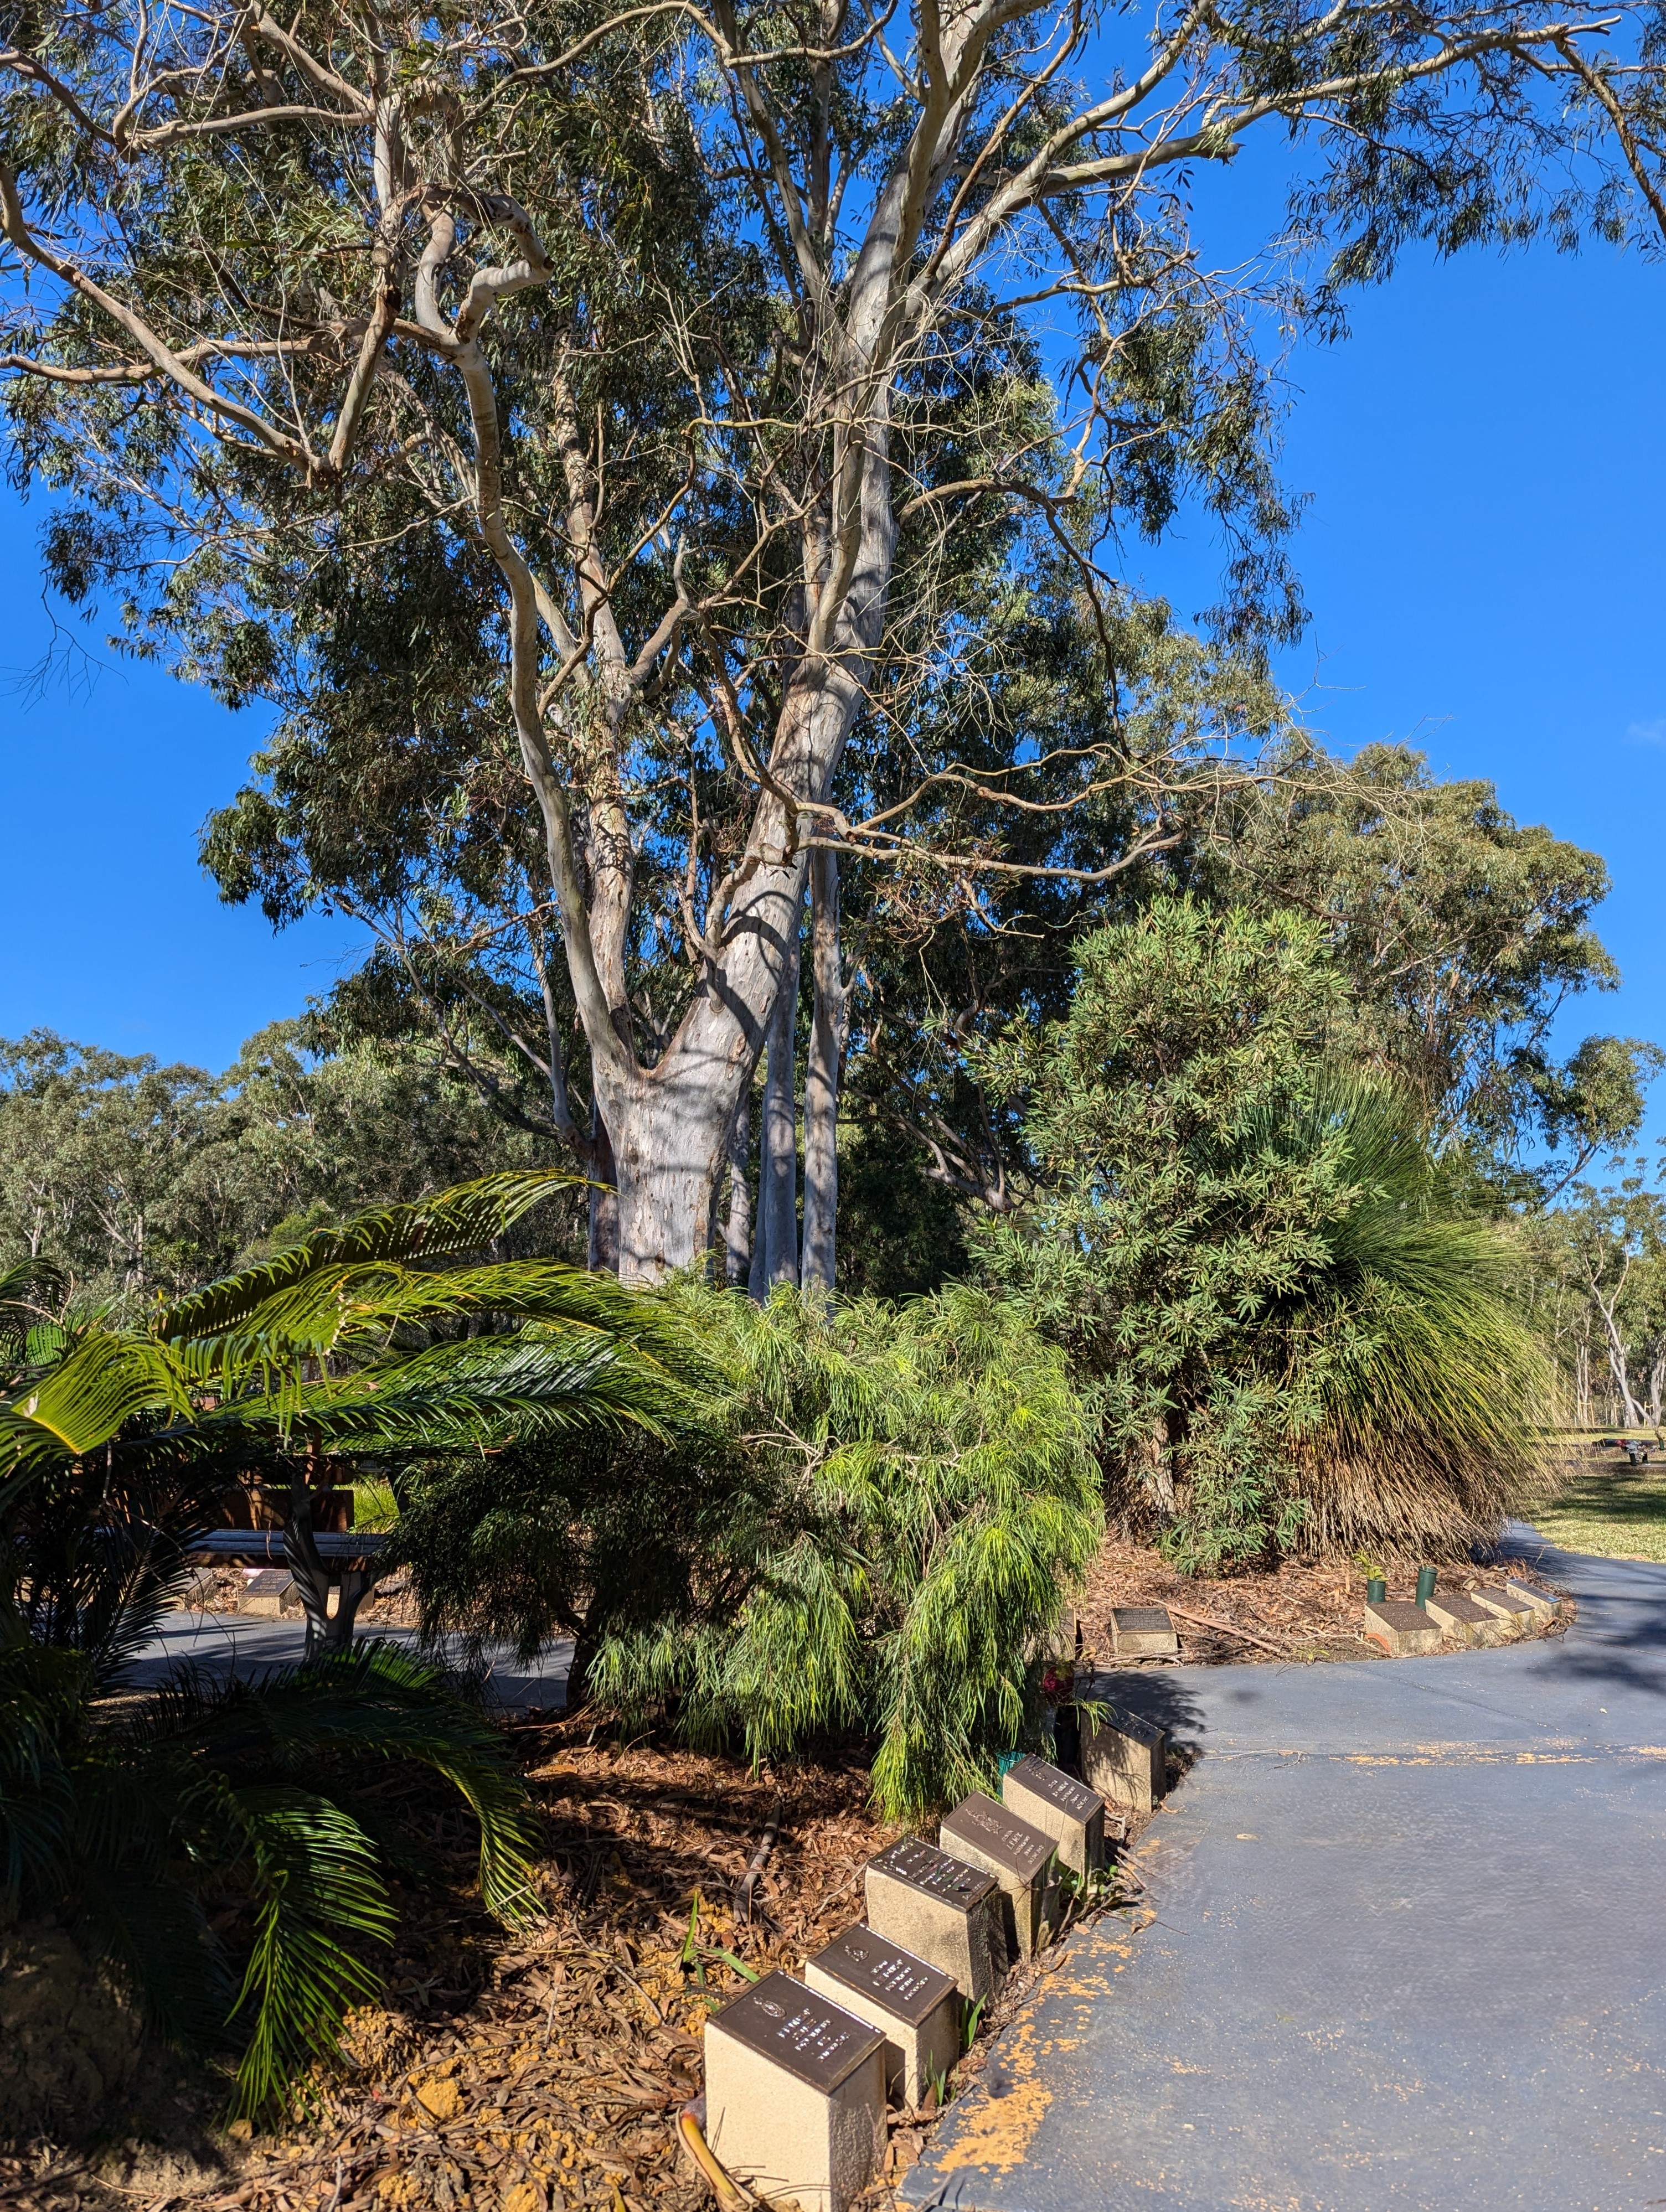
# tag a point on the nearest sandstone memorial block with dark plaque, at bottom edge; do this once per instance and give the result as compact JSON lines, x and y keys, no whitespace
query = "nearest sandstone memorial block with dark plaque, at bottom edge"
{"x":795,"y":2096}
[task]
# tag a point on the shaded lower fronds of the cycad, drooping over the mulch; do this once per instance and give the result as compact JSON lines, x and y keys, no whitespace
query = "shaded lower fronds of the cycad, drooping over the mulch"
{"x":211,"y":1841}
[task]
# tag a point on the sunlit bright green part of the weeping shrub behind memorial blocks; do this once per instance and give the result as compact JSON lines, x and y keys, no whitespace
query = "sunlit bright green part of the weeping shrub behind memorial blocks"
{"x":946,"y":1496}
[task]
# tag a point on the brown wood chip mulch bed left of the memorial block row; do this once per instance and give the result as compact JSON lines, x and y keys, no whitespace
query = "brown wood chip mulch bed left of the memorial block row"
{"x":545,"y":2072}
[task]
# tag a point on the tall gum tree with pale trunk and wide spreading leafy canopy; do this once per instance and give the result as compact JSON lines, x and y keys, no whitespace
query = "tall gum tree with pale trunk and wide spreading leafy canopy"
{"x":671,"y":371}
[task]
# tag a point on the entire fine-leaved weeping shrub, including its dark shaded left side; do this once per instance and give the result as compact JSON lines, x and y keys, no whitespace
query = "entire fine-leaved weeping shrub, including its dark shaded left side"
{"x":866,"y":1530}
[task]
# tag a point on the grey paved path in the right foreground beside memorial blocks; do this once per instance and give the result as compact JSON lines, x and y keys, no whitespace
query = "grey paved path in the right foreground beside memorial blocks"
{"x":1406,"y":1948}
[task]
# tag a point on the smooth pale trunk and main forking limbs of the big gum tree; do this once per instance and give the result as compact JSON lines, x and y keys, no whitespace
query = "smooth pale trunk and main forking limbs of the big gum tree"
{"x":671,"y":1123}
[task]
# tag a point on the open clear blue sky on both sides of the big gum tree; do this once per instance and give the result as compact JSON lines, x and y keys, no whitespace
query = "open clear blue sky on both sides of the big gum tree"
{"x":1488,"y":474}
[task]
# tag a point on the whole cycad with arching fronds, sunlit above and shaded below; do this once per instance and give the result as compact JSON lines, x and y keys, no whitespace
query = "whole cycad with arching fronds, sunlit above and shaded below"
{"x":225,"y":1846}
